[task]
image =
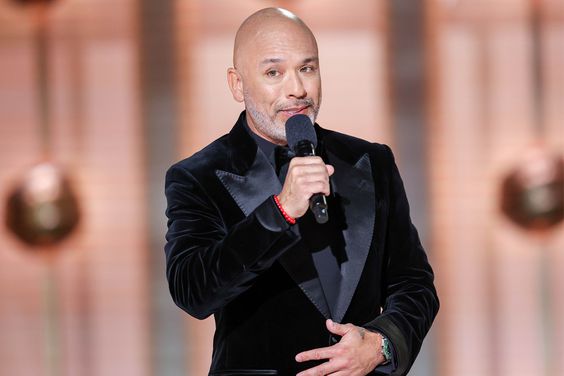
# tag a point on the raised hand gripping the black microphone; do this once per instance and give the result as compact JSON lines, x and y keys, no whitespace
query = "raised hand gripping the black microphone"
{"x":306,"y":177}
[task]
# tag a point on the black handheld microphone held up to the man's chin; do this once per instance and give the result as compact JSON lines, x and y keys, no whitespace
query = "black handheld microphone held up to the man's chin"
{"x":302,"y":140}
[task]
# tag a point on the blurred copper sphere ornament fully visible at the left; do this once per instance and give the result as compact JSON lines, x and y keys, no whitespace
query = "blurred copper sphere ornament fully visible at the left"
{"x":42,"y":209}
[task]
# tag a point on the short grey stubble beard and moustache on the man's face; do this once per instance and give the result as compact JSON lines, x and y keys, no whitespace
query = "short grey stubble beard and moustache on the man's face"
{"x":268,"y":125}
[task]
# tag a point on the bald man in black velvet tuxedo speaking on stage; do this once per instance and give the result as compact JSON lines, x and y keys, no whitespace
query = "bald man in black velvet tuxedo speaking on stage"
{"x":290,"y":296}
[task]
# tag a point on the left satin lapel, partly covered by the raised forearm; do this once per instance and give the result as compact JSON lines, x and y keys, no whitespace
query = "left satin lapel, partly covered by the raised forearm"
{"x":251,"y":189}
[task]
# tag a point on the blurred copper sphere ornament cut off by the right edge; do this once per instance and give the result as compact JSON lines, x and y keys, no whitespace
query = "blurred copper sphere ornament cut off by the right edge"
{"x":533,"y":193}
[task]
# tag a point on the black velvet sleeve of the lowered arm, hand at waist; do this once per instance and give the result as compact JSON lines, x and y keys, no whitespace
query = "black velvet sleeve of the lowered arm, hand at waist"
{"x":411,"y":301}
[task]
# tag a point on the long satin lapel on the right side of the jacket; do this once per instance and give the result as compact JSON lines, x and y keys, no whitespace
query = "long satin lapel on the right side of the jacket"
{"x":354,"y":186}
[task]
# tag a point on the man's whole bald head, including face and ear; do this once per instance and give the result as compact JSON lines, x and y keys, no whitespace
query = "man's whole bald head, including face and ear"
{"x":276,"y":72}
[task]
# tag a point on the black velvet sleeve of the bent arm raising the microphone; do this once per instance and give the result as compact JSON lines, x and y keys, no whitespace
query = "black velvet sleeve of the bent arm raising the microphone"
{"x":208,"y":264}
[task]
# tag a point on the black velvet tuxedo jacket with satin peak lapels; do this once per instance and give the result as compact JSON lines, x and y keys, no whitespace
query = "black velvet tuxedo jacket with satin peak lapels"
{"x":230,"y":253}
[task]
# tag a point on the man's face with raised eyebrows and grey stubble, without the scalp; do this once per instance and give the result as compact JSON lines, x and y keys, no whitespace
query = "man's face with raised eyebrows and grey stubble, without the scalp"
{"x":280,"y":76}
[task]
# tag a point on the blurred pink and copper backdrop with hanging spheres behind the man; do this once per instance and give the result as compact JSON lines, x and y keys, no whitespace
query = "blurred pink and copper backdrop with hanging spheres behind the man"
{"x":99,"y":97}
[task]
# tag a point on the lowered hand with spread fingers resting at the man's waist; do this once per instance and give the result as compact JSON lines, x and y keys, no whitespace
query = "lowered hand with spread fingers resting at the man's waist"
{"x":356,"y":354}
